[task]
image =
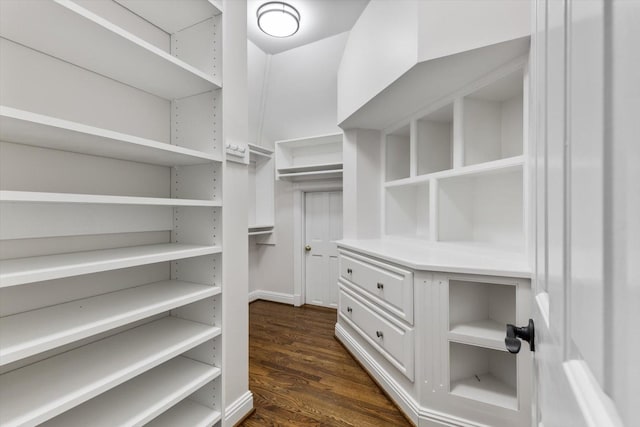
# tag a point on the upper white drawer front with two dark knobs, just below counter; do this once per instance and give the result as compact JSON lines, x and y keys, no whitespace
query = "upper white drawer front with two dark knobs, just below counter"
{"x":390,"y":285}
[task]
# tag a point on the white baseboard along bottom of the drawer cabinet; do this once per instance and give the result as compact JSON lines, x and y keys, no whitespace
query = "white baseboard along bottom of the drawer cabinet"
{"x":419,"y":415}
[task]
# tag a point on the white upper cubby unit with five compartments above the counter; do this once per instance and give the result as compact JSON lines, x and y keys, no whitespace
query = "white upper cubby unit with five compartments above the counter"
{"x":454,"y":173}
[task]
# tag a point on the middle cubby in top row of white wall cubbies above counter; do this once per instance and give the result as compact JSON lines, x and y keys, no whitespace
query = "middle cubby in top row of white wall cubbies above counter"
{"x":435,"y":141}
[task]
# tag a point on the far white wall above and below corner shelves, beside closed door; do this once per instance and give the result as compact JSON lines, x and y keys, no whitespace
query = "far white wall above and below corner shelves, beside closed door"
{"x":300,"y":100}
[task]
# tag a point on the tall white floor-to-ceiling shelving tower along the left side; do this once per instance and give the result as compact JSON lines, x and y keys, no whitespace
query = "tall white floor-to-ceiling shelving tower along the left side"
{"x":110,"y":206}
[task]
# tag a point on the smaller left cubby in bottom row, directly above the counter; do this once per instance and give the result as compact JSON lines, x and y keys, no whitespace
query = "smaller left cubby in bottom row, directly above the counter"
{"x":407,"y":211}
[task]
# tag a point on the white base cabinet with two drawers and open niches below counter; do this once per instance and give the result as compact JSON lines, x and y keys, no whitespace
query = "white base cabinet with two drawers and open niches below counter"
{"x":447,"y":363}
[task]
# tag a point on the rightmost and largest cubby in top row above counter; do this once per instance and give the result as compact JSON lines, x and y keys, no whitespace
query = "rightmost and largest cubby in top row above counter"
{"x":492,"y":120}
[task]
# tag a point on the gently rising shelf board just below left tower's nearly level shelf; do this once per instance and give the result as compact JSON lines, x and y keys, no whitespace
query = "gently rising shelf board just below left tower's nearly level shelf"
{"x":19,"y":271}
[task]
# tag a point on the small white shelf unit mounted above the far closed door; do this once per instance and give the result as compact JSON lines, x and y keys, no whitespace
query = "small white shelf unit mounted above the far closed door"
{"x":318,"y":157}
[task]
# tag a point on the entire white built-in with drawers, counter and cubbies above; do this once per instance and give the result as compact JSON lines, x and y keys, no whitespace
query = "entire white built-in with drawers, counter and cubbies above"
{"x":424,"y":305}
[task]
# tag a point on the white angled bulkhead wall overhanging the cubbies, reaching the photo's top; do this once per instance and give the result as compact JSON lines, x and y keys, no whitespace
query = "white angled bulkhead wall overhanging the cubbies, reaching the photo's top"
{"x":392,"y":36}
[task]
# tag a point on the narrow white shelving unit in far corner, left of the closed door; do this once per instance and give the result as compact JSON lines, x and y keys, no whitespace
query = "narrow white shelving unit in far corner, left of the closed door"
{"x":261,"y":191}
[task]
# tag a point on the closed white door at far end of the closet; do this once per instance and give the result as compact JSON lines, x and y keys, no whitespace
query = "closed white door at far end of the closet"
{"x":323,"y":226}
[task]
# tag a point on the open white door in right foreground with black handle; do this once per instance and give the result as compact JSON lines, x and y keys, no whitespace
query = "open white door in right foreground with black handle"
{"x":586,"y":106}
